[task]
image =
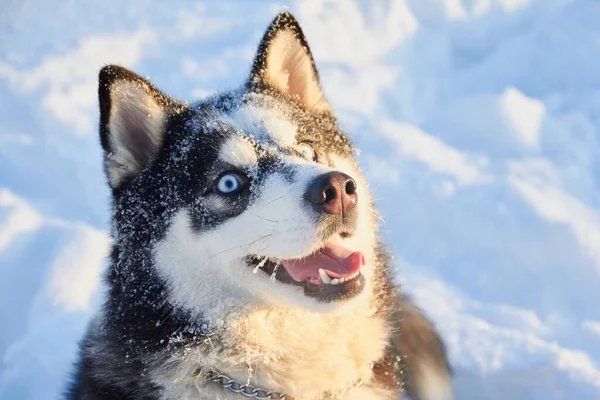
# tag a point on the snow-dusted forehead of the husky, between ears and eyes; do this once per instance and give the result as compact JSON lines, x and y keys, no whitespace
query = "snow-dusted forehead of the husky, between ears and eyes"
{"x":251,"y":126}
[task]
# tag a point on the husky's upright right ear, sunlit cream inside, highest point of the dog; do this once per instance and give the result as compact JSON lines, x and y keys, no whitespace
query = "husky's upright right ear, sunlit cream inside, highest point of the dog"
{"x":284,"y":63}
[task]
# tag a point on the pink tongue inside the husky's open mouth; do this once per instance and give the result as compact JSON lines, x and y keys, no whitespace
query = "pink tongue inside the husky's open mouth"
{"x":337,"y":260}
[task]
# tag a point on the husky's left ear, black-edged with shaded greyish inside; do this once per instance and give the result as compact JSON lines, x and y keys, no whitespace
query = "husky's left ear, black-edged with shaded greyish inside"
{"x":133,"y":115}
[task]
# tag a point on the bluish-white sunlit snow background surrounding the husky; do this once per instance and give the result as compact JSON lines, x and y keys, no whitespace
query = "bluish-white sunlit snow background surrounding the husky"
{"x":479,"y":128}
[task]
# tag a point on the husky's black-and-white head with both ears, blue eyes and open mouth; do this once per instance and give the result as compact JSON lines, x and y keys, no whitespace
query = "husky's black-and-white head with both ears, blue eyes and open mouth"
{"x":253,"y":194}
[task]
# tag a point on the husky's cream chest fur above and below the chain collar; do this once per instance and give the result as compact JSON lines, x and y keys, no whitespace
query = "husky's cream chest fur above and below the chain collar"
{"x":295,"y":352}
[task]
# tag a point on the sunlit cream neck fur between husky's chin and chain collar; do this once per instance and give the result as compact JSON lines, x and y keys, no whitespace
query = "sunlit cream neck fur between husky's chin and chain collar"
{"x":302,"y":353}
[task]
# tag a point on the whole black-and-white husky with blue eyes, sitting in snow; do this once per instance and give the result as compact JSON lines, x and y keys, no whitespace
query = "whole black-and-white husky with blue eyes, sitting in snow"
{"x":246,"y":261}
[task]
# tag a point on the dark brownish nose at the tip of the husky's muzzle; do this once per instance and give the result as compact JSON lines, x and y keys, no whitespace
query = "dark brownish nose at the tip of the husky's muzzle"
{"x":334,"y":193}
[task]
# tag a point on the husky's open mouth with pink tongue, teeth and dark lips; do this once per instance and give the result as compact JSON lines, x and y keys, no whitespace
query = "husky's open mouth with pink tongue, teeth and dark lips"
{"x":330,"y":274}
